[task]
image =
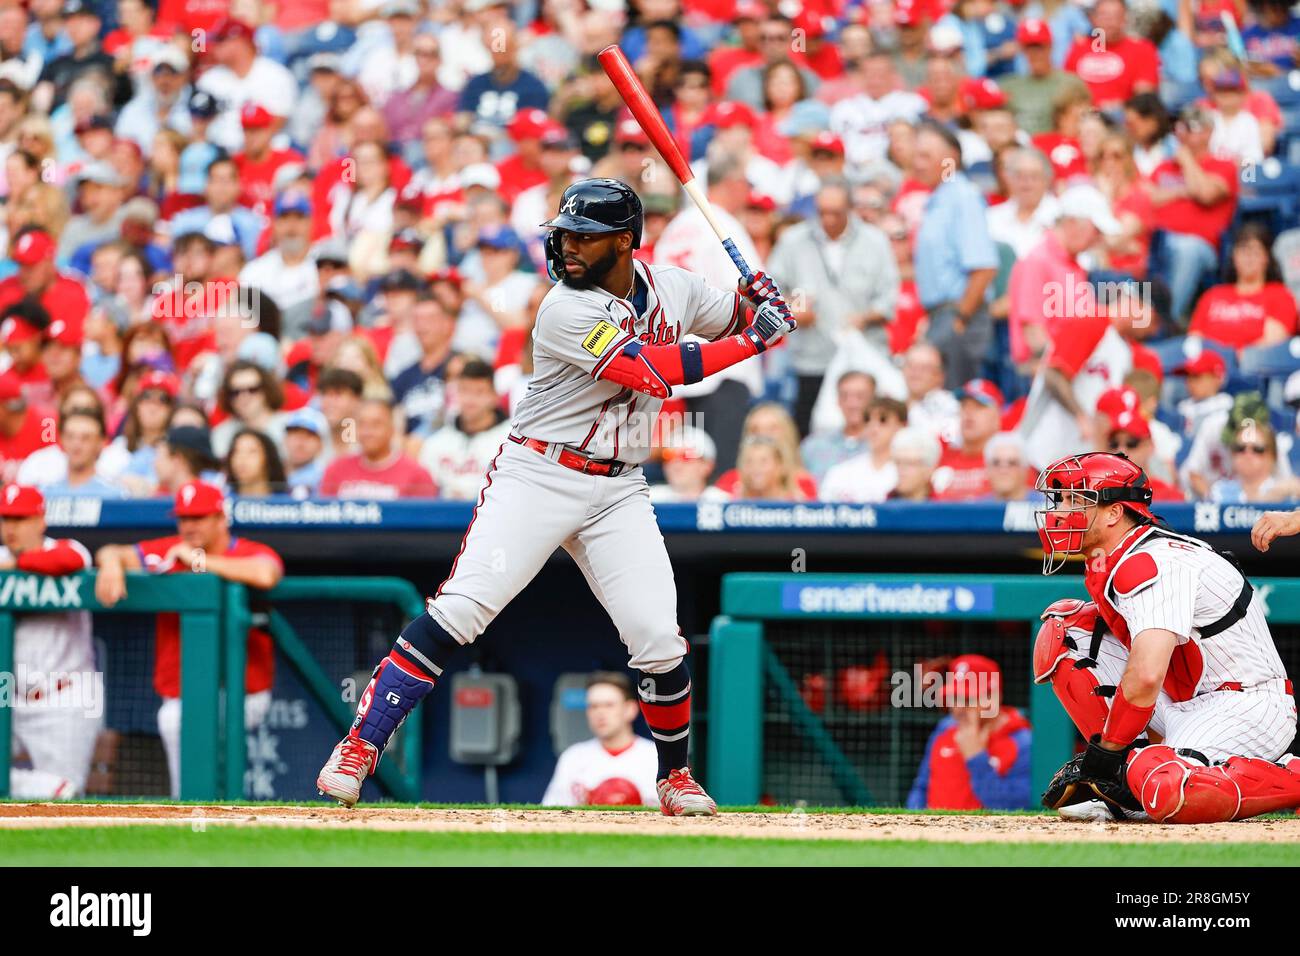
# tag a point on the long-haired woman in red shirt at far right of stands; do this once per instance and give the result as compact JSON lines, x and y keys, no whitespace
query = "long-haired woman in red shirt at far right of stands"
{"x":1254,"y":308}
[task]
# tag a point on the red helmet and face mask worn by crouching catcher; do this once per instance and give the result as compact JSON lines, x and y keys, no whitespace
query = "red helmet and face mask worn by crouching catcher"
{"x":1078,"y":483}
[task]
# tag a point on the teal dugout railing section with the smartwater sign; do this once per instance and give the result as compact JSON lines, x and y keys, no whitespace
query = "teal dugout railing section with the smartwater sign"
{"x":813,"y":678}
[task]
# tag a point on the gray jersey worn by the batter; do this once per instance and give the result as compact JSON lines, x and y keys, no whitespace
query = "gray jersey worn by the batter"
{"x":580,"y":332}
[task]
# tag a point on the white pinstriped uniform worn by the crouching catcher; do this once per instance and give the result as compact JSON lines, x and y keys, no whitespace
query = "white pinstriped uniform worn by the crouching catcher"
{"x":1193,"y":589}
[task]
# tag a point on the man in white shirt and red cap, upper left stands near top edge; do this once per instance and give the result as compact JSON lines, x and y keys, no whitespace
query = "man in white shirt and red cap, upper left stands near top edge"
{"x":242,"y":76}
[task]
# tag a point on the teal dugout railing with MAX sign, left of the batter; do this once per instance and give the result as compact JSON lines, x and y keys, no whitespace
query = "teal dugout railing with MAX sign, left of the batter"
{"x":215,"y":617}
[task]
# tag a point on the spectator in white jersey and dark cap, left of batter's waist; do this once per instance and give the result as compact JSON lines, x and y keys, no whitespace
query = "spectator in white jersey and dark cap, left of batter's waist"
{"x":458,"y":456}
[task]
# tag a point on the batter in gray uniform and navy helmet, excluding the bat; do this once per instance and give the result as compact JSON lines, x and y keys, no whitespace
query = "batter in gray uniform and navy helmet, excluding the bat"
{"x":608,"y":351}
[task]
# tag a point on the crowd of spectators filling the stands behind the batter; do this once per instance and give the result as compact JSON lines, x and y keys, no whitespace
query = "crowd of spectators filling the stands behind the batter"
{"x":294,"y":248}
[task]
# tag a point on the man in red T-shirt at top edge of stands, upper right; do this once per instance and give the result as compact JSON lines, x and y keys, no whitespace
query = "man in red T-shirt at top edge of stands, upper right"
{"x":1110,"y":62}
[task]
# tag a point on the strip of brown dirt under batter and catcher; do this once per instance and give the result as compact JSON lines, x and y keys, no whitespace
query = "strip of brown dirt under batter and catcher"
{"x":791,"y":825}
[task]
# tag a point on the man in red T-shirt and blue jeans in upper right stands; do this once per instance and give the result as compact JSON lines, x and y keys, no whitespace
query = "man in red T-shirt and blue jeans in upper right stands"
{"x":1195,"y":198}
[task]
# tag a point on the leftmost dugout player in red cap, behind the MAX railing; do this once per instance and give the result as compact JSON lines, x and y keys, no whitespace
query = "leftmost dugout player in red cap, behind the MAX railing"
{"x":53,"y":654}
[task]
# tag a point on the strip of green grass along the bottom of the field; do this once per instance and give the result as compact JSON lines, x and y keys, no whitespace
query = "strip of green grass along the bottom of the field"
{"x":220,"y":846}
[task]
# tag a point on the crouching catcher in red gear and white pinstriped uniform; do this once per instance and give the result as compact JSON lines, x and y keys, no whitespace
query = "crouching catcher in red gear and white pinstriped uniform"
{"x":1169,"y":672}
